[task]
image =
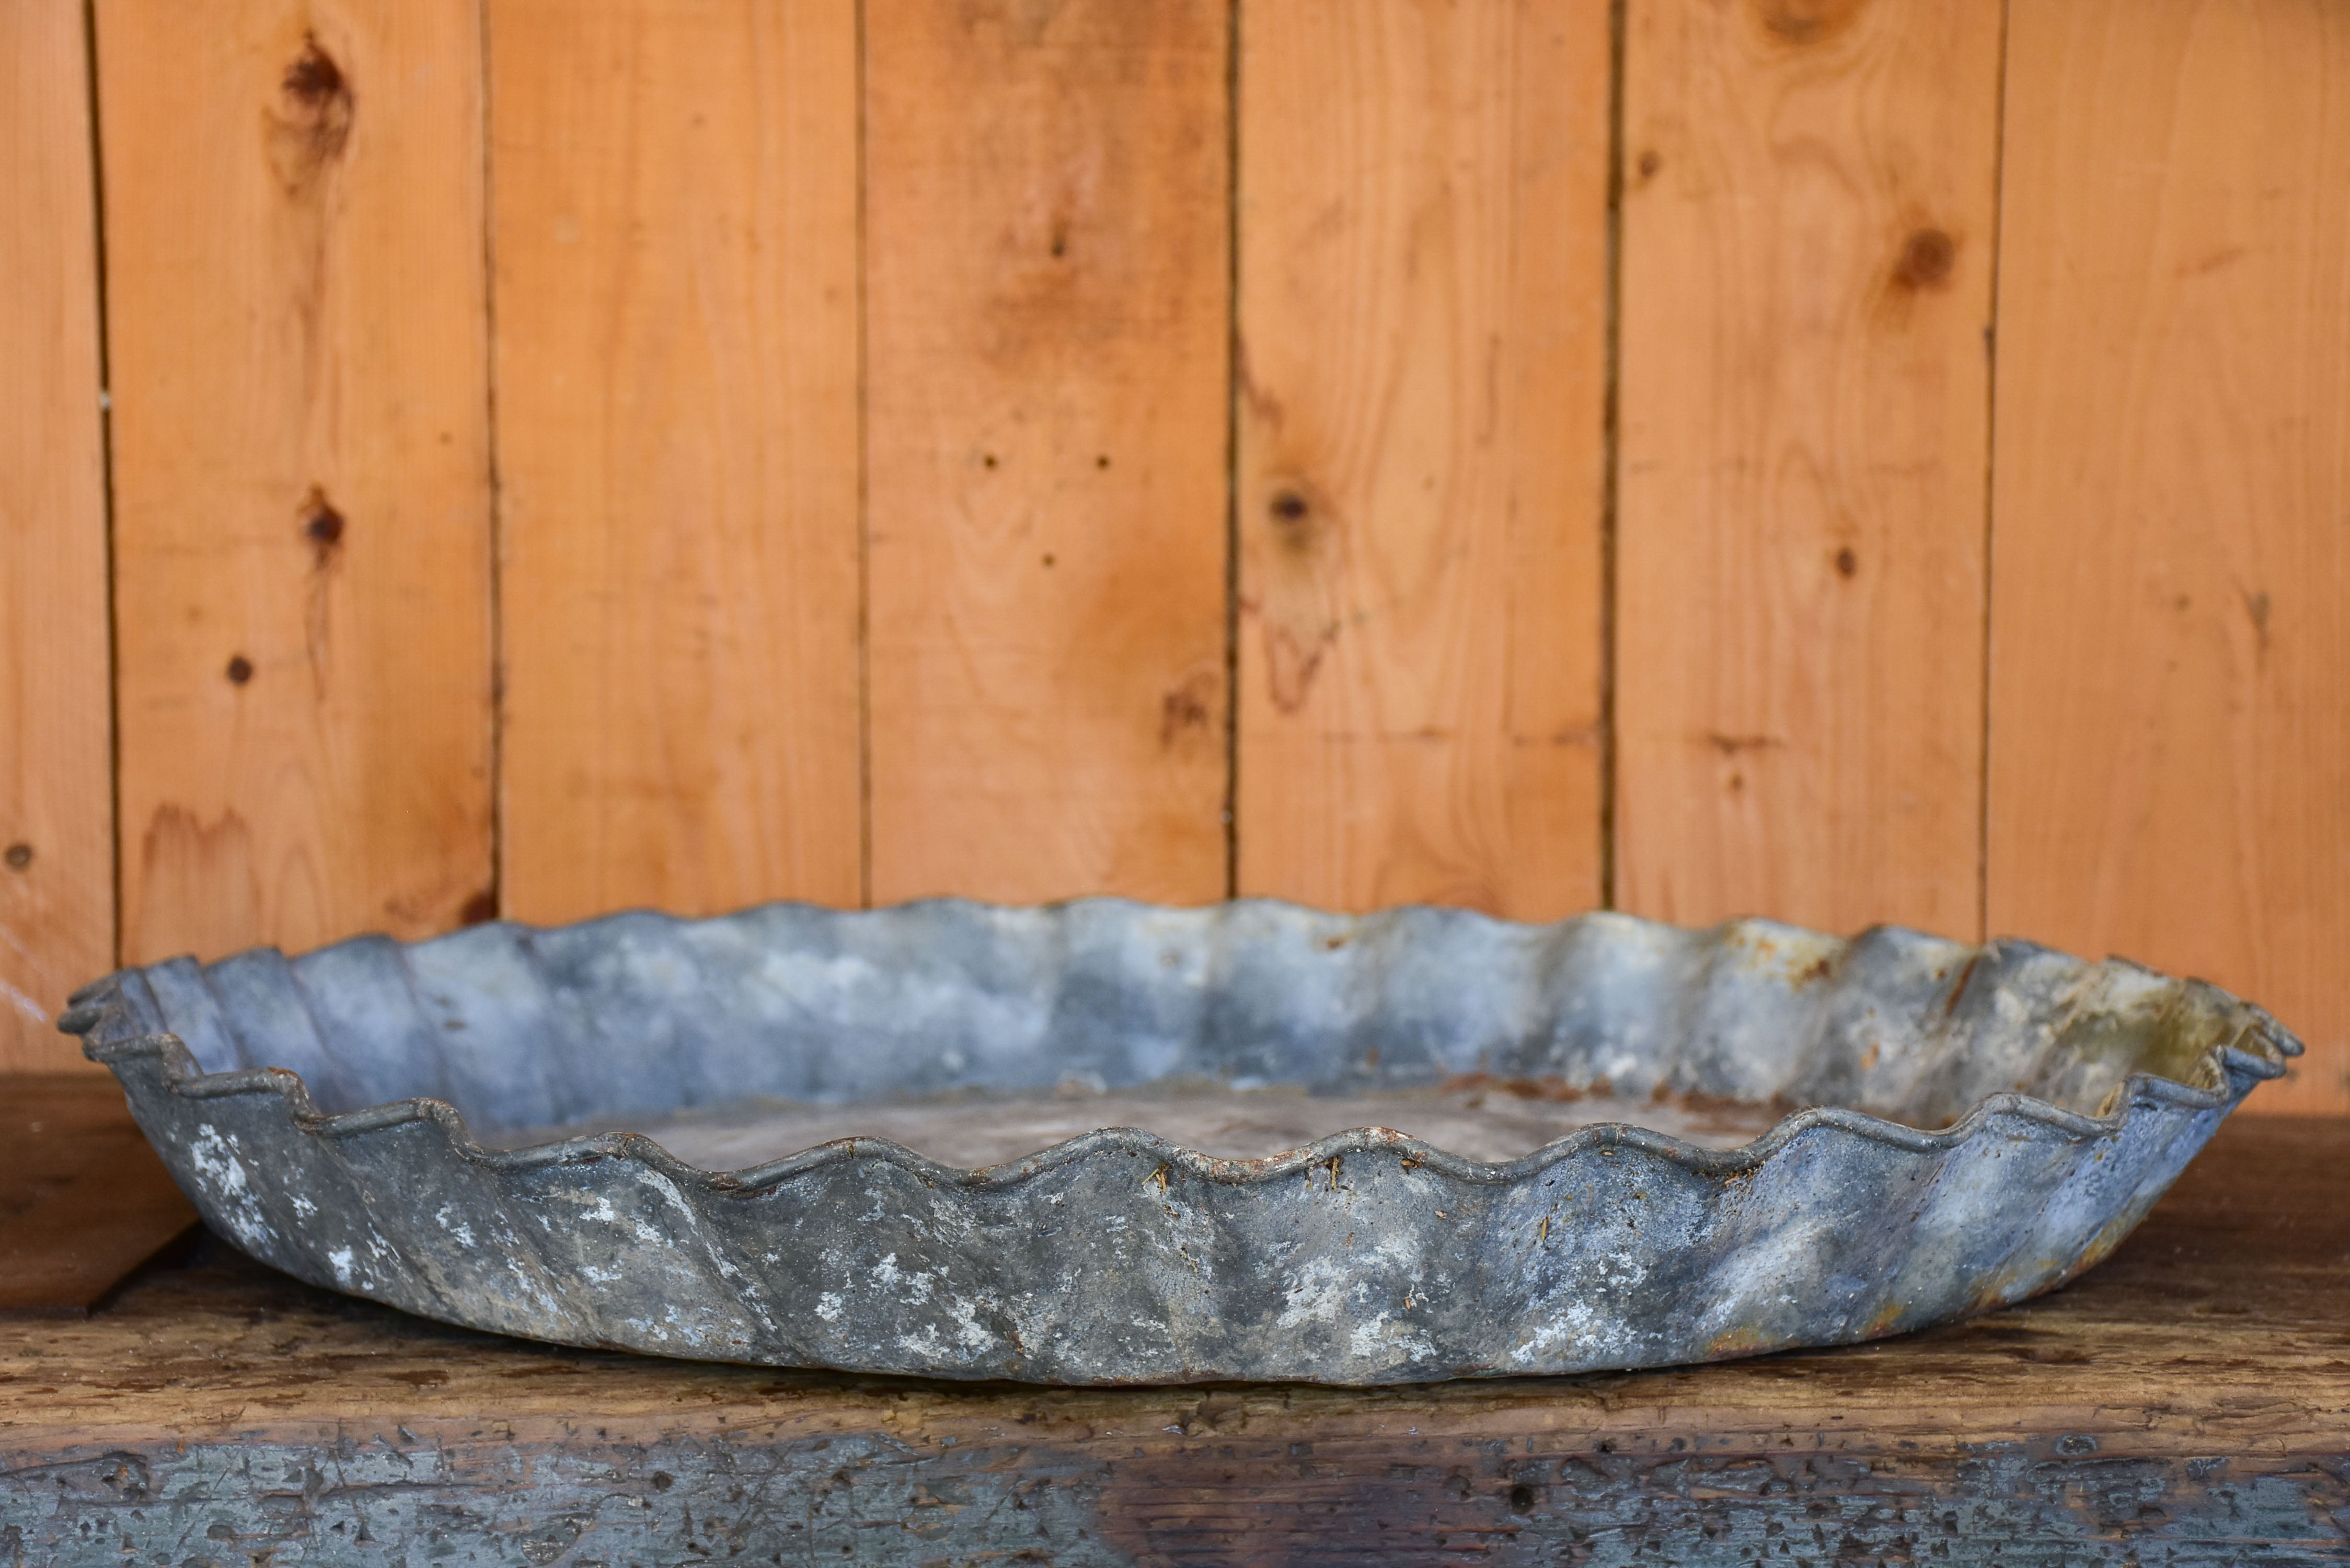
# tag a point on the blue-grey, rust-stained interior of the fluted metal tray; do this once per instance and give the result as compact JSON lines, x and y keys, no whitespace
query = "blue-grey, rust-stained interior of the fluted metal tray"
{"x":979,"y":1036}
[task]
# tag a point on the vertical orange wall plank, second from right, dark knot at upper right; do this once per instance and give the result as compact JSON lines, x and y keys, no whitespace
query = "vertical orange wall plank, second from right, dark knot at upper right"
{"x":1808,"y":220}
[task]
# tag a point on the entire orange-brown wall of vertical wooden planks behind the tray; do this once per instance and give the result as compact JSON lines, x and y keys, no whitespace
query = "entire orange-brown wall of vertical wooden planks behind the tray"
{"x":1839,"y":460}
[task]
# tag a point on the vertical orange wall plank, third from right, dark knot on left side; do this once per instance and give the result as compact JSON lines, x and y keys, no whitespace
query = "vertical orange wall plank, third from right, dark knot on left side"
{"x":1423,"y":335}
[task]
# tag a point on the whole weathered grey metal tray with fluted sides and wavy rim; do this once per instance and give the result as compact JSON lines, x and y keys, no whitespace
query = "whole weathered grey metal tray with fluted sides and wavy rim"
{"x":1110,"y":1144}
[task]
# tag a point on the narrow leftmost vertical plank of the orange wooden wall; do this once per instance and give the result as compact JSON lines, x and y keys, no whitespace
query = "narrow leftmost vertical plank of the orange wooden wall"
{"x":58,"y":855}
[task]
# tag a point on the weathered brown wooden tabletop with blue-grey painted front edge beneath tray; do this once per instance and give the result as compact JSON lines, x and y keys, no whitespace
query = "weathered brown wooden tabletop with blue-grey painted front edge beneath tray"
{"x":2187,"y":1402}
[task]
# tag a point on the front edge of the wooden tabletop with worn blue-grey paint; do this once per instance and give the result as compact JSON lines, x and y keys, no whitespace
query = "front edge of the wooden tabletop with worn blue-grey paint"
{"x":875,"y":1499}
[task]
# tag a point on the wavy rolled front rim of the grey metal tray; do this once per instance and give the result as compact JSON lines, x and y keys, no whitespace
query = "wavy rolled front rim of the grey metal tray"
{"x":2252,"y":1057}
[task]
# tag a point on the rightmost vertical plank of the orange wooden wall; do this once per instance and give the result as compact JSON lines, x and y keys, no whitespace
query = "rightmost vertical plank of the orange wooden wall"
{"x":2170,"y":702}
